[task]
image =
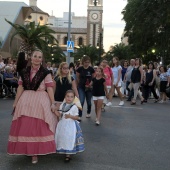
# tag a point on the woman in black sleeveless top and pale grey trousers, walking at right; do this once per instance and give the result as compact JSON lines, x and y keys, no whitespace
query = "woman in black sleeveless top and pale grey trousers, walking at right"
{"x":136,"y":79}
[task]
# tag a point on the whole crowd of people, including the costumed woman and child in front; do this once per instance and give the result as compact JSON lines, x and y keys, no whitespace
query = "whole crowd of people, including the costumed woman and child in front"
{"x":45,"y":116}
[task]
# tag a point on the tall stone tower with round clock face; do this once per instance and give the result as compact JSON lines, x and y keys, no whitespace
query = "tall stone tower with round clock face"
{"x":94,"y":21}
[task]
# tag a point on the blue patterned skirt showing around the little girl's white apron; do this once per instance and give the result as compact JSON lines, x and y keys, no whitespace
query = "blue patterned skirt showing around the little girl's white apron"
{"x":79,"y":142}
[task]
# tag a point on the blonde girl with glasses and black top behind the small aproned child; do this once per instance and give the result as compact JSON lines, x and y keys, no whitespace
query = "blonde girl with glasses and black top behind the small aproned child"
{"x":63,"y":82}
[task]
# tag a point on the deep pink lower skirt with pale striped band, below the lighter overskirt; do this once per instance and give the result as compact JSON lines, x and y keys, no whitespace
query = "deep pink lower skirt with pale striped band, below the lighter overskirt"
{"x":30,"y":136}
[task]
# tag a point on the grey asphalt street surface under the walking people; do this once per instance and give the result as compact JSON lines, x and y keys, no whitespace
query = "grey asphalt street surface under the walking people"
{"x":129,"y":138}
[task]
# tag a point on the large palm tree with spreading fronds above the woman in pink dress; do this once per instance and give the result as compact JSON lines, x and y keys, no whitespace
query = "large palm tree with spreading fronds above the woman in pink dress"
{"x":33,"y":36}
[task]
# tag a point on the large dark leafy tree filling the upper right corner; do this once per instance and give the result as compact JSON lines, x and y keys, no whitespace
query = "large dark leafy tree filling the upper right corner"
{"x":148,"y":26}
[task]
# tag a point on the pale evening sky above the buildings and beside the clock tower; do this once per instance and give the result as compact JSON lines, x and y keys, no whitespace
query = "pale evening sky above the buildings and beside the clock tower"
{"x":112,"y":18}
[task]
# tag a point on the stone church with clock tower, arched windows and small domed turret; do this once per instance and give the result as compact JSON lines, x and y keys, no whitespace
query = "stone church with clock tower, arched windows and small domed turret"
{"x":85,"y":30}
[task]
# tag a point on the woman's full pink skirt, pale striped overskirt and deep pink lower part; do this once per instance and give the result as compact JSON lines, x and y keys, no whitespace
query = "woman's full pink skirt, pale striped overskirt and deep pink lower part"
{"x":30,"y":135}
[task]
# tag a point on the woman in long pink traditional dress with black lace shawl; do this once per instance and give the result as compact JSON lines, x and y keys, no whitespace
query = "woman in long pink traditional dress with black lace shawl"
{"x":33,"y":125}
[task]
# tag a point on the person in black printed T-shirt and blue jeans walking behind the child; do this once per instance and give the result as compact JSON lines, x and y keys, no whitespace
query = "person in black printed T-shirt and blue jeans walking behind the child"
{"x":84,"y":75}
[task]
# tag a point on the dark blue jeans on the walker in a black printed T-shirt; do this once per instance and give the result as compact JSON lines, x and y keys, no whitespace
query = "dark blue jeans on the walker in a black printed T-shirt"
{"x":82,"y":95}
